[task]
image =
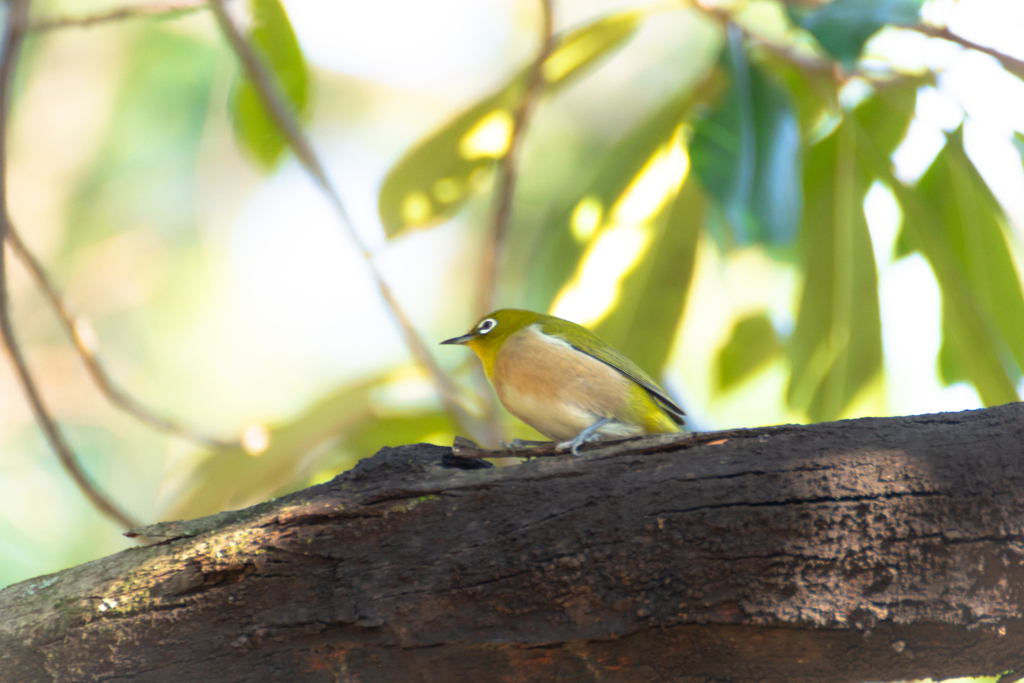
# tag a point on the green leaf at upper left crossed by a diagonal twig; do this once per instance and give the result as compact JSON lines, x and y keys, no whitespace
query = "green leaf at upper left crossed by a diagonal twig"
{"x":272,"y":35}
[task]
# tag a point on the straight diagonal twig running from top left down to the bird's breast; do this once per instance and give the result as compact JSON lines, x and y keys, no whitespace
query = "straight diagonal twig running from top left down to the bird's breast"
{"x":283,"y":116}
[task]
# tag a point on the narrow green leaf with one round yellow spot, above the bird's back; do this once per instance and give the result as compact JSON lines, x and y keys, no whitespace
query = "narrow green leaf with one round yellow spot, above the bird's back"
{"x":569,"y":231}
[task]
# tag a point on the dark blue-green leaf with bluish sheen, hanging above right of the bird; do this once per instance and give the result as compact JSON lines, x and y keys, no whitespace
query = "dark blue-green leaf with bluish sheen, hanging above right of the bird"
{"x":748,"y":153}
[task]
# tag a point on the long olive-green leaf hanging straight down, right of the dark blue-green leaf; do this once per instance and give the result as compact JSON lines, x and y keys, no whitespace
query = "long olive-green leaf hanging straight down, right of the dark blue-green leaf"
{"x":837,"y":343}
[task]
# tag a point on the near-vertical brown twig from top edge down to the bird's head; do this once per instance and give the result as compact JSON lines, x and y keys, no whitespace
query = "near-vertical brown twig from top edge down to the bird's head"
{"x":508,"y":169}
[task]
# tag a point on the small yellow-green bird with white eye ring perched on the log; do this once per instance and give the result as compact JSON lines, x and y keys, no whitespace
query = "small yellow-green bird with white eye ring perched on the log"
{"x":565,"y":382}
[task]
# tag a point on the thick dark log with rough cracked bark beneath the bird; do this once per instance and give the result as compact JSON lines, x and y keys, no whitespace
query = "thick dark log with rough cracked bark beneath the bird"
{"x":876,"y":549}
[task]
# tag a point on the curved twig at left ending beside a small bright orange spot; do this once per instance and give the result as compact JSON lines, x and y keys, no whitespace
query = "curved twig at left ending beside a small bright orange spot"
{"x":114,"y":394}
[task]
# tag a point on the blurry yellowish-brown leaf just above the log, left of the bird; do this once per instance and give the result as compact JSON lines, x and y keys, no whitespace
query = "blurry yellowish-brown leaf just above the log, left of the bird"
{"x":232,"y":479}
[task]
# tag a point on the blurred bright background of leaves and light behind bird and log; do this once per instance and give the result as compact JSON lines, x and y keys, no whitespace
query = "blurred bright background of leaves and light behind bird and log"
{"x":814,"y":216}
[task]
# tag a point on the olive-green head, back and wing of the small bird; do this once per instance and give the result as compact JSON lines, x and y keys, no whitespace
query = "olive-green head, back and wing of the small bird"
{"x":511,"y":321}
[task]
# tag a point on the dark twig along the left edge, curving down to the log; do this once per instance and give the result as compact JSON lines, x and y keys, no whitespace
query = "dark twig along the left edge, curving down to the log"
{"x":17,"y":25}
